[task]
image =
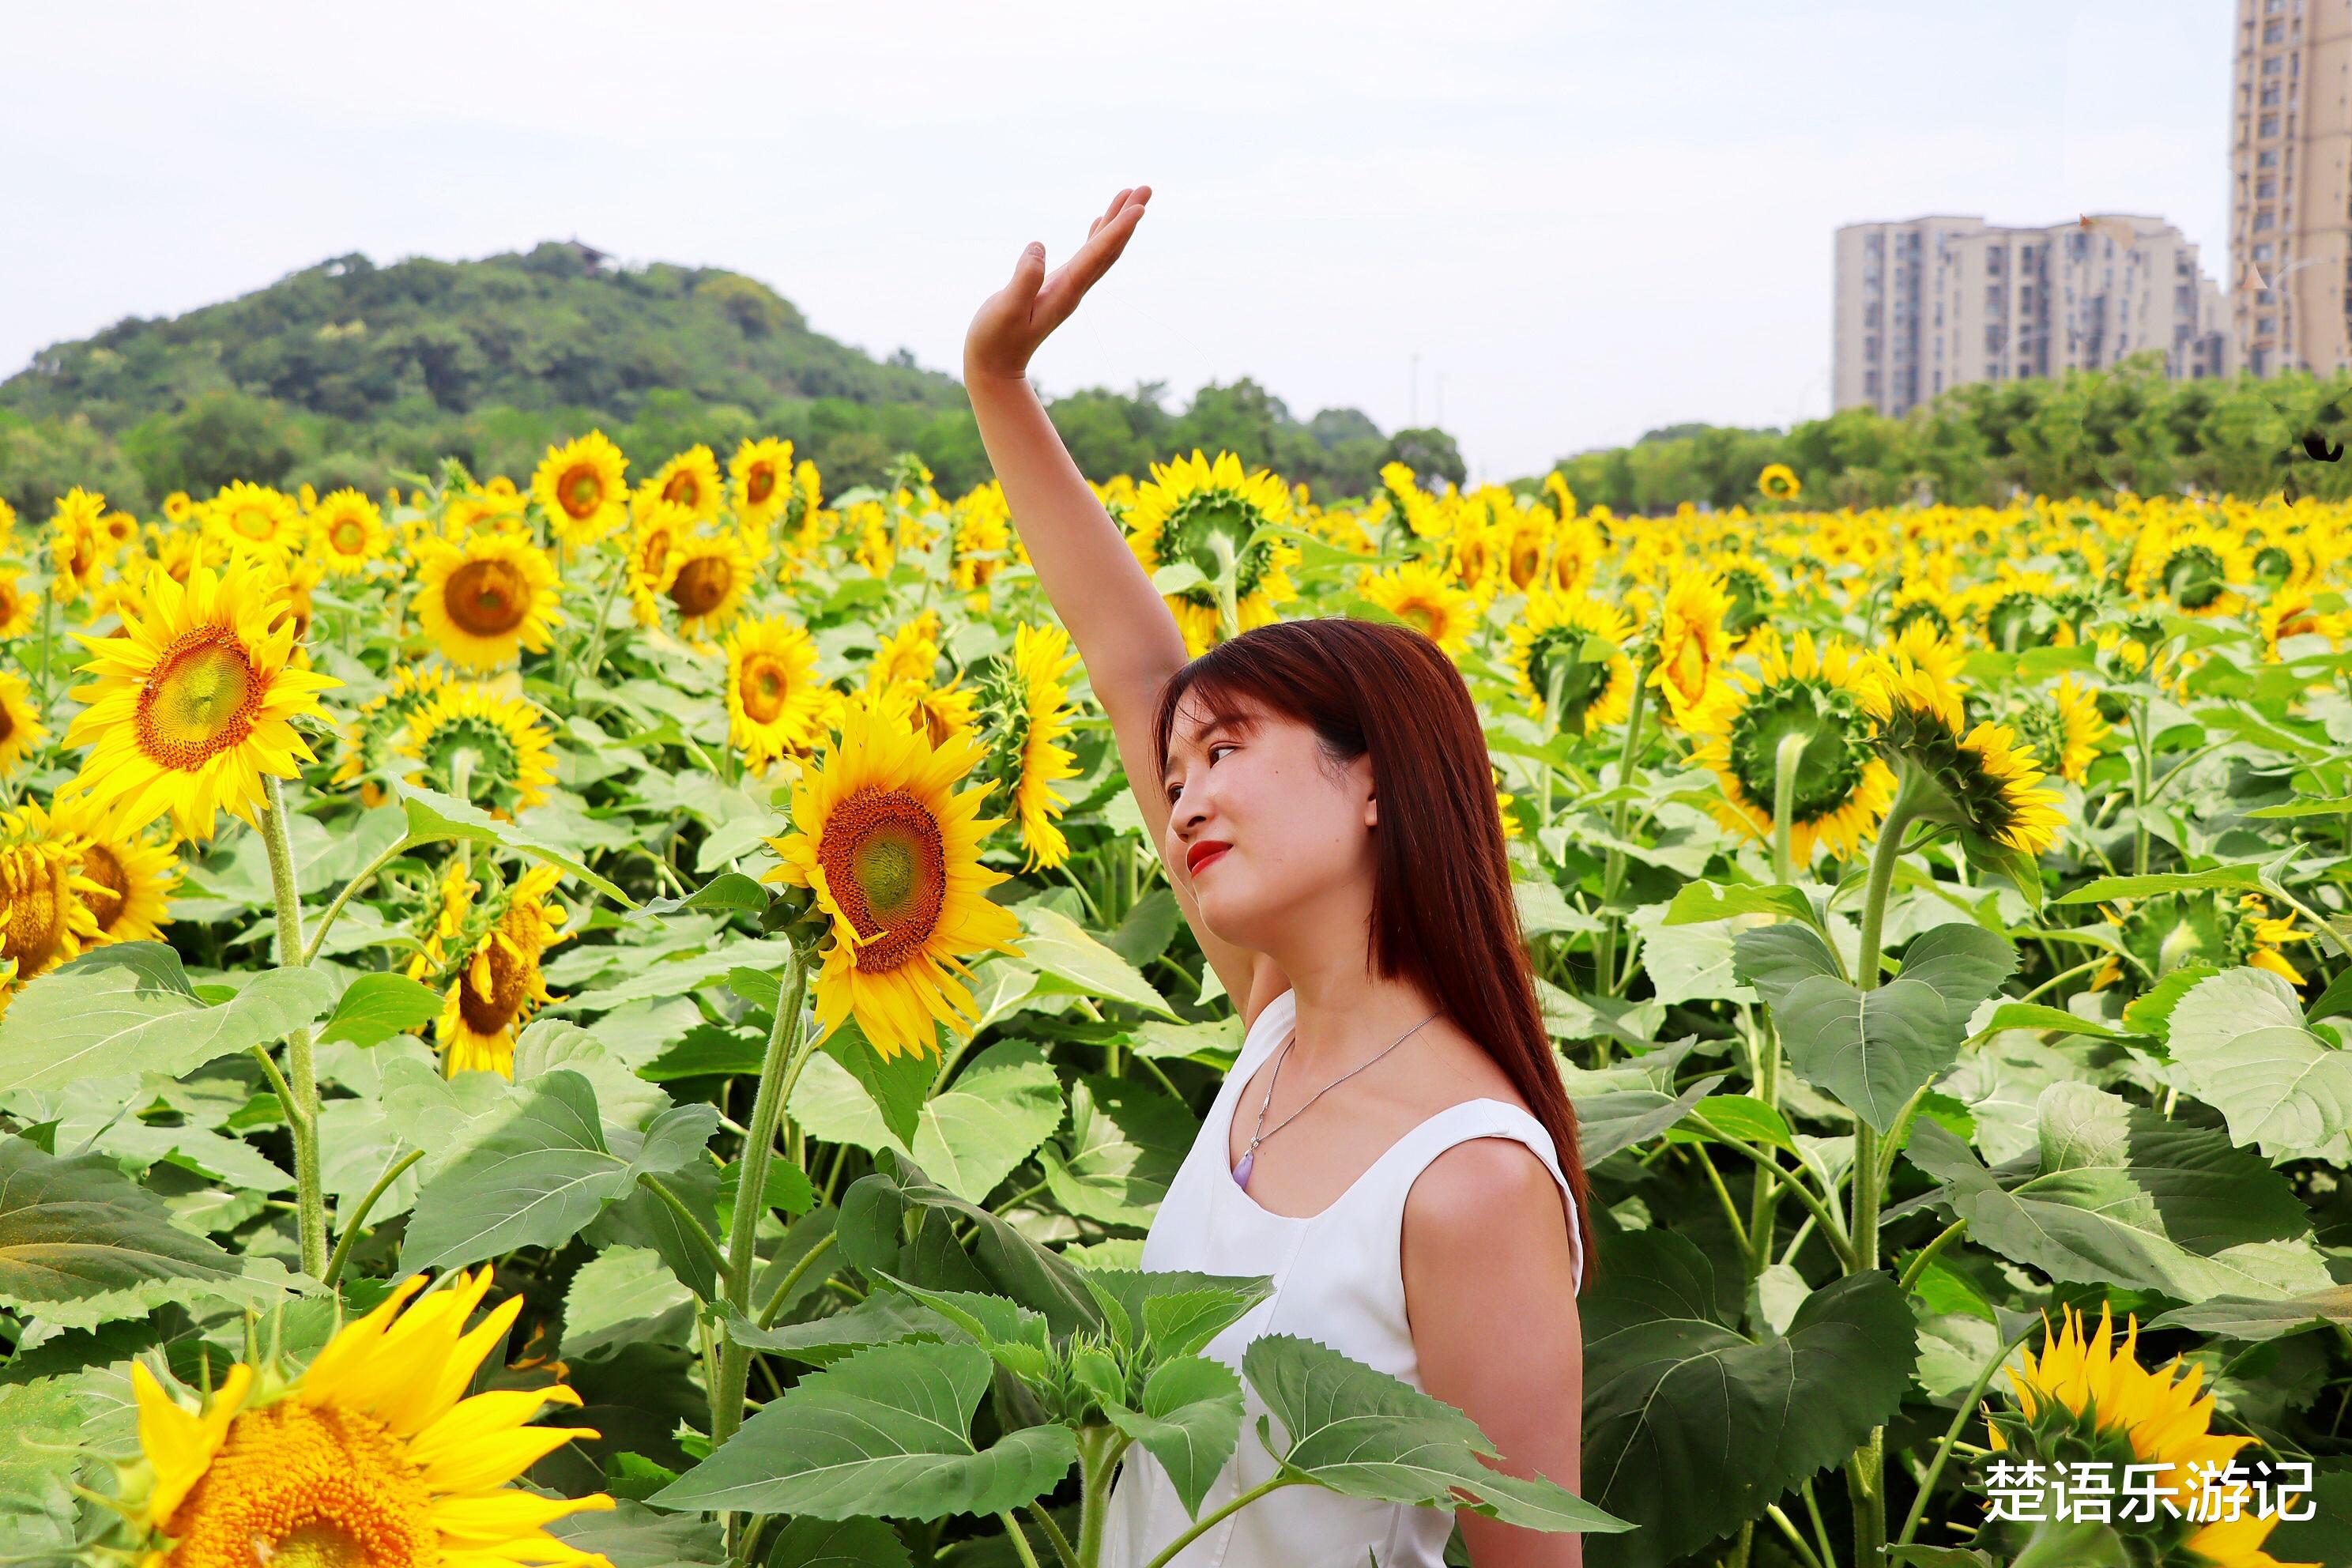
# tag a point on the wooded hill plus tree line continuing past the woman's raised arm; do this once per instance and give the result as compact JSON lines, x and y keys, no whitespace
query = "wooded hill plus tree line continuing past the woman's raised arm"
{"x":354,"y":373}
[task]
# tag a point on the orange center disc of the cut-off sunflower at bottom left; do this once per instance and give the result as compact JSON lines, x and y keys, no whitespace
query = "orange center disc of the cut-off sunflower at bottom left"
{"x":312,"y":1489}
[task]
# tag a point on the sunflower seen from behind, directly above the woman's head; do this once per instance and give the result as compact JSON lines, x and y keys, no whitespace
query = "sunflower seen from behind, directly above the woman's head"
{"x":1203,"y":514}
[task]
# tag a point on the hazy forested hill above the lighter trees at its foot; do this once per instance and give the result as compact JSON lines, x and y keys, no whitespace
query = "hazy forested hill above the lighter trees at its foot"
{"x":556,"y":328}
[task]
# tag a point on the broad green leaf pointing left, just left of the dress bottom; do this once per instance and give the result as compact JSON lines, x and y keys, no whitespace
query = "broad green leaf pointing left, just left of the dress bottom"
{"x":878,"y":1433}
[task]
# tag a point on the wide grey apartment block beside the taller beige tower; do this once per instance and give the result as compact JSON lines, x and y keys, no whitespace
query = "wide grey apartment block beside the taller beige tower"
{"x":1942,"y":302}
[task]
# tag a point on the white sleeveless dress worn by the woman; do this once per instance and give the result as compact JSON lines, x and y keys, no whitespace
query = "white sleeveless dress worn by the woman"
{"x":1337,"y":1280}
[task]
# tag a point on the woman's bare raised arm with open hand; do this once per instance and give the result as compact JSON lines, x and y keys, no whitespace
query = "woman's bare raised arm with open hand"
{"x":1123,"y":629}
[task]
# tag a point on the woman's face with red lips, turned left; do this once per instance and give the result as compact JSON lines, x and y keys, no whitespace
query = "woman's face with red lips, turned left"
{"x":1295,"y":829}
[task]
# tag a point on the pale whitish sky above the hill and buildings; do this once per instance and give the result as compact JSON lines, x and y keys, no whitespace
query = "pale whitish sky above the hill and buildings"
{"x":1549,"y":227}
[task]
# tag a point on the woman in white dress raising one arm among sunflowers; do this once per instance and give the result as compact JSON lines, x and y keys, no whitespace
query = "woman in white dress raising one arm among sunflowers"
{"x":1323,"y":803}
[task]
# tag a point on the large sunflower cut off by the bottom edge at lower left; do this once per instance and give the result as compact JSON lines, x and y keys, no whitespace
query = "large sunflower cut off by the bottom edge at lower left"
{"x":370,"y":1456}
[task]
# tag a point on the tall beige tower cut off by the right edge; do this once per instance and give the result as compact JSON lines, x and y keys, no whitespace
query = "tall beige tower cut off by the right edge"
{"x":2290,"y":201}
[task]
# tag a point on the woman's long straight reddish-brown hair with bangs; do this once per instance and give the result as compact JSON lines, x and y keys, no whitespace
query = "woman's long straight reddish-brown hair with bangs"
{"x":1443,"y":913}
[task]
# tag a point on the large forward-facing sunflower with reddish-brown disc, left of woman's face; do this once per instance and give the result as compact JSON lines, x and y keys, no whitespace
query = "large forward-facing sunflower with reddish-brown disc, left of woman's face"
{"x":893,"y":855}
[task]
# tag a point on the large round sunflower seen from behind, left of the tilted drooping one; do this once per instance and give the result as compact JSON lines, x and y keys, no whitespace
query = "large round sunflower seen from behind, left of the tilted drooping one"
{"x":1815,"y":695}
